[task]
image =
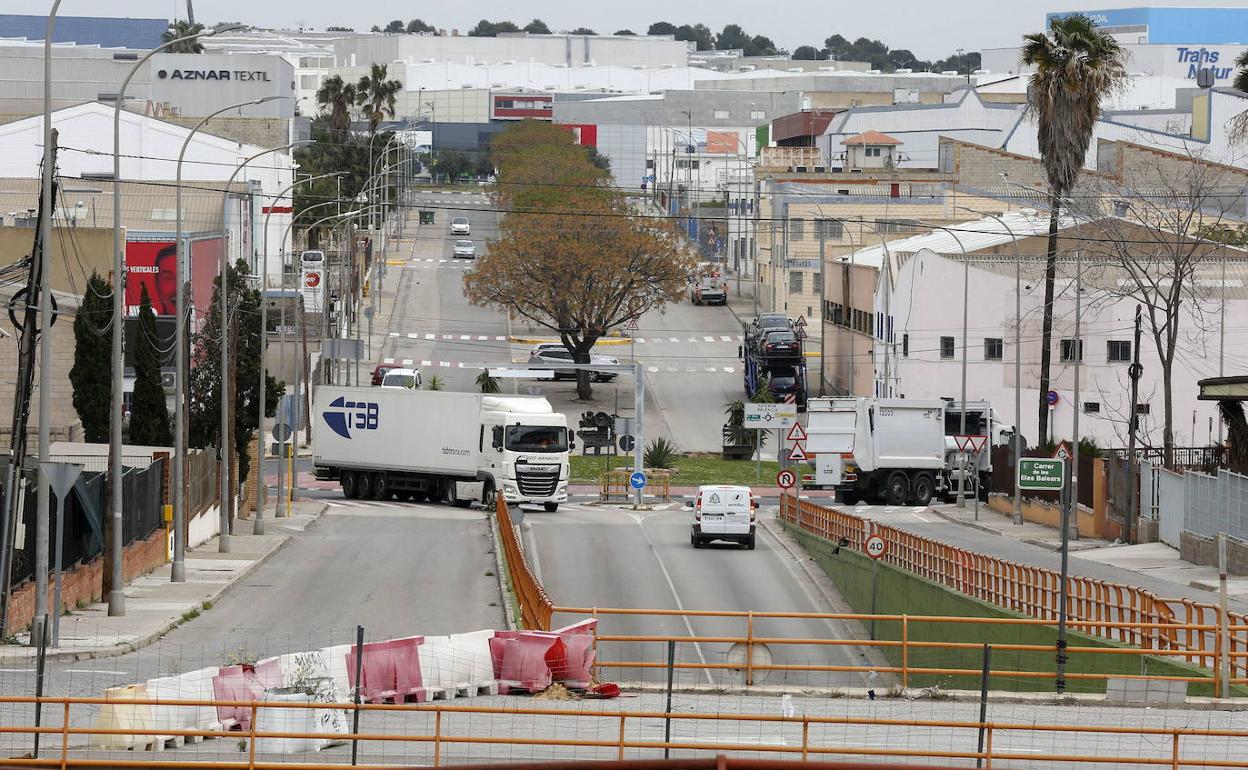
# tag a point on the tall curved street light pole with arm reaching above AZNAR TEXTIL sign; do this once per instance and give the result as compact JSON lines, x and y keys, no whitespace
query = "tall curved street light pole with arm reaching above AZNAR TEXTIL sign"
{"x":117,"y":592}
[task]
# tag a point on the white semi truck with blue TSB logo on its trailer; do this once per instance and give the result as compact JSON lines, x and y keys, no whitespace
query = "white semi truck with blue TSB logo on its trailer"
{"x":440,"y":446}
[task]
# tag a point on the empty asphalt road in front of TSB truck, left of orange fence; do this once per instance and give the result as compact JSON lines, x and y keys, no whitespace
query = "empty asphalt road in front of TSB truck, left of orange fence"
{"x":397,"y":570}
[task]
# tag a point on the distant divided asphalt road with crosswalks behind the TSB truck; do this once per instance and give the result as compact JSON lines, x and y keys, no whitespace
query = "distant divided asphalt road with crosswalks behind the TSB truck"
{"x":688,"y":354}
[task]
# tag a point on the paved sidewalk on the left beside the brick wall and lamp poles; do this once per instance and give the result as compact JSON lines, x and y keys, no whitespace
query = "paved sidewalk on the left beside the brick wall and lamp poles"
{"x":155,"y":606}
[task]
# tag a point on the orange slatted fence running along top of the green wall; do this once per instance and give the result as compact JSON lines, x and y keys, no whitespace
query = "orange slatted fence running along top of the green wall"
{"x":1120,"y":613}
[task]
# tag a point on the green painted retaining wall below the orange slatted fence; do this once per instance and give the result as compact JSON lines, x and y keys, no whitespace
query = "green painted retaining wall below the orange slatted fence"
{"x":902,"y":593}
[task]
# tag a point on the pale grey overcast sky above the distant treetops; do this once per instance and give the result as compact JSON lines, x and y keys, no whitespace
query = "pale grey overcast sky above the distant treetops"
{"x":930,"y":29}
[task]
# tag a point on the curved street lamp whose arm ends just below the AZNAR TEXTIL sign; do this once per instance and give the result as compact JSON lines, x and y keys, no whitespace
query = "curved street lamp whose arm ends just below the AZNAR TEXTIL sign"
{"x":178,"y":571}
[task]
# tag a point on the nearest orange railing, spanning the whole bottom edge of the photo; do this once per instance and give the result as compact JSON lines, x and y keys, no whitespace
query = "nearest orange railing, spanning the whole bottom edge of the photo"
{"x":1176,"y":747}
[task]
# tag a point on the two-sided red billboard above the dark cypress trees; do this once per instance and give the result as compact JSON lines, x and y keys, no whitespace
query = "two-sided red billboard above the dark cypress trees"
{"x":154,"y":264}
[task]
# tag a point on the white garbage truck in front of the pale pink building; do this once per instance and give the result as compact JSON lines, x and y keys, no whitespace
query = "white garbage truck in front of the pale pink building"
{"x":899,"y":451}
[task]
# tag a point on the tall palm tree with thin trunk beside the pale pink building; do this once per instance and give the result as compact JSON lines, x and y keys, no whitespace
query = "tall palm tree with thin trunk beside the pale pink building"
{"x":1076,"y":68}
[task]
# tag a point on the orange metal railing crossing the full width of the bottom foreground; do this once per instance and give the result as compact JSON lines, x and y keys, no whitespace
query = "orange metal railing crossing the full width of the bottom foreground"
{"x":804,"y":736}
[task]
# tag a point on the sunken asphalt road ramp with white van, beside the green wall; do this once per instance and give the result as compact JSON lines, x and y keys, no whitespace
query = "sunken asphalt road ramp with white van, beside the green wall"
{"x":618,"y":558}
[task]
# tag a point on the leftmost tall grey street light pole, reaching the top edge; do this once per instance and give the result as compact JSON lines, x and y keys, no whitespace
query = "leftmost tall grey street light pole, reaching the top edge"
{"x":39,"y":632}
